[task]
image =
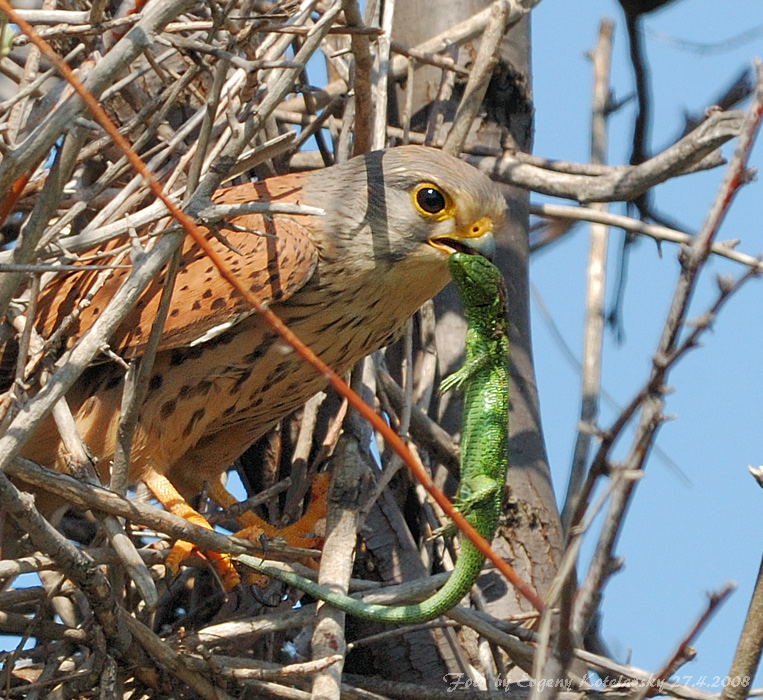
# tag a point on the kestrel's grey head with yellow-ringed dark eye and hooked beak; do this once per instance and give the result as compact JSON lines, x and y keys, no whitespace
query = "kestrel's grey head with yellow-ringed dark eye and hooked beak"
{"x":412,"y":204}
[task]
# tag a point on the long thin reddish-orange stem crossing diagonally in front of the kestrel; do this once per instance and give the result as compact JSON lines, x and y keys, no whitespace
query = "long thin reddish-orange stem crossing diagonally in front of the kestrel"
{"x":303,"y":350}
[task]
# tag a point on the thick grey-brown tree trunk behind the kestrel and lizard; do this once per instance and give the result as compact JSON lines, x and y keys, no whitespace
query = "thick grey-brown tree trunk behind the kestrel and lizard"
{"x":531,"y":533}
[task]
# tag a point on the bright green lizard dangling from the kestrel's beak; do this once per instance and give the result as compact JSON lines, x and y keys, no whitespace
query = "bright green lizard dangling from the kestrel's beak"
{"x":484,"y":446}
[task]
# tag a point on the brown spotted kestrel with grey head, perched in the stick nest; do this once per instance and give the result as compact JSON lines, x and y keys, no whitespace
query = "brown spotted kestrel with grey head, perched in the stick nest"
{"x":345,"y":281}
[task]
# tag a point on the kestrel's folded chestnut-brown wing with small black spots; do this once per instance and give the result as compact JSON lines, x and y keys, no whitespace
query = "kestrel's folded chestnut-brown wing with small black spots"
{"x":274,"y":256}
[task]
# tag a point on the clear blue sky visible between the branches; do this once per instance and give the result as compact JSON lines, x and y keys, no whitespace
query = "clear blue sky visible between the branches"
{"x":688,"y":533}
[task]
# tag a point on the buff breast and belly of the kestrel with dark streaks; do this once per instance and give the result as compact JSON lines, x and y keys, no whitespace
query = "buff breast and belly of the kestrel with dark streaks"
{"x":231,"y":390}
